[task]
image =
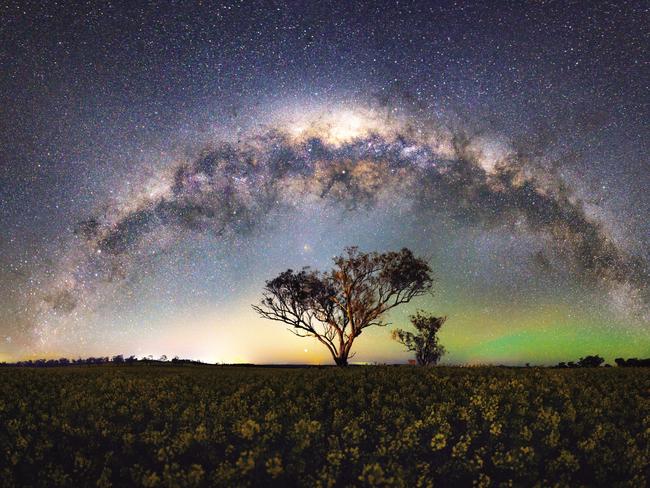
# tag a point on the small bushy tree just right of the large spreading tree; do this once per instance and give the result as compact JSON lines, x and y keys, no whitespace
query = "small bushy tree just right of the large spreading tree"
{"x":425,"y":342}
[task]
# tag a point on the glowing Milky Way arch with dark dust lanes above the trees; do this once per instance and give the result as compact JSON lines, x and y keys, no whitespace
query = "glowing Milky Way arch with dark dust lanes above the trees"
{"x":353,"y":161}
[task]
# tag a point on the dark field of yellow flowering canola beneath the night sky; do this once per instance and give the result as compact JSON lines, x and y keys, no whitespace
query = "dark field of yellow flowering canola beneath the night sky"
{"x":137,"y":425}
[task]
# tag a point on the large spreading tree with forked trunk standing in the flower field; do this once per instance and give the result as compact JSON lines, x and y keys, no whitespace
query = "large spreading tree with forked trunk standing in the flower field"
{"x":335,"y":306}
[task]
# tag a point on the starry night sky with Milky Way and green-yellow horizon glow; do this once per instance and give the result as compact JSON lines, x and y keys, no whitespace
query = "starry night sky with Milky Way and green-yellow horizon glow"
{"x":158,"y":164}
